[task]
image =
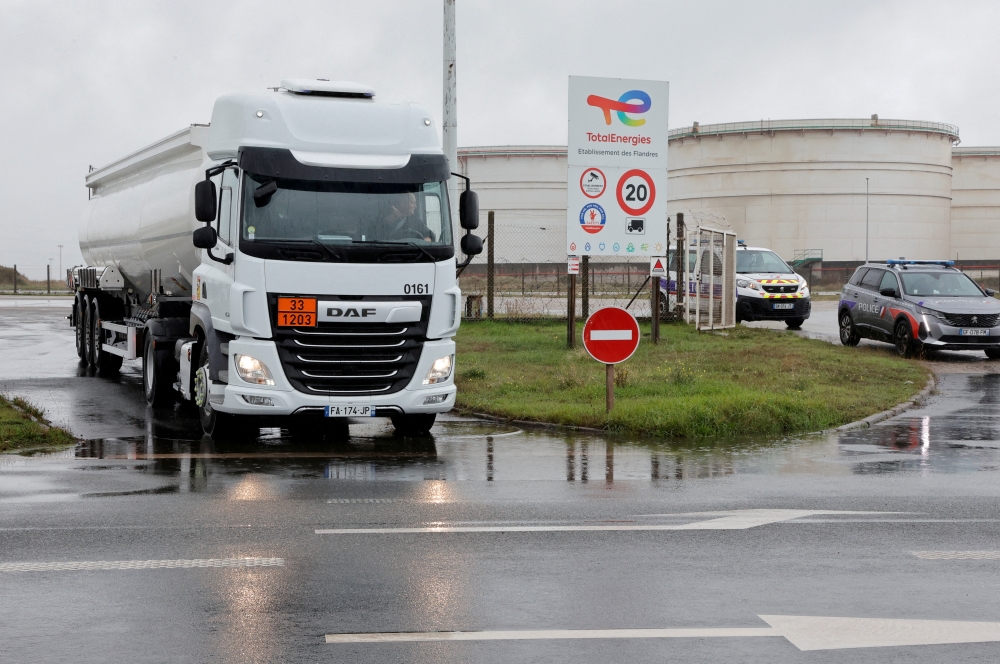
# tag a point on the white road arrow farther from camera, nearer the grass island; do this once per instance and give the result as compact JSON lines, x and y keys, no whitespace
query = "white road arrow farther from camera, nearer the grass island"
{"x":734,"y":520}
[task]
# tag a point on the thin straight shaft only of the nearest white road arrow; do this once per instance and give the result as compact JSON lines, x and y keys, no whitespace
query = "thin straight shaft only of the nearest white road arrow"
{"x":522,"y":635}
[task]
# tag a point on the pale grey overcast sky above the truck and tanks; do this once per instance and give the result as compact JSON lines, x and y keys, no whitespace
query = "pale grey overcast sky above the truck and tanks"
{"x":85,"y":83}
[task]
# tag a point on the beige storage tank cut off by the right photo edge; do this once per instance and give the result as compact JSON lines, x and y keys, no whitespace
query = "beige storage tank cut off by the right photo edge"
{"x":975,"y":206}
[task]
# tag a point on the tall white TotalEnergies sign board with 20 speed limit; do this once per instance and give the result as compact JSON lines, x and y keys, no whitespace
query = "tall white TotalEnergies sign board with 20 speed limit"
{"x":617,"y":202}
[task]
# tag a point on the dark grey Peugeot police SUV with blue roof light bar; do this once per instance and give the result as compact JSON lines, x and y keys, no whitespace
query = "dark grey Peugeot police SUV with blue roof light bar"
{"x":914,"y":304}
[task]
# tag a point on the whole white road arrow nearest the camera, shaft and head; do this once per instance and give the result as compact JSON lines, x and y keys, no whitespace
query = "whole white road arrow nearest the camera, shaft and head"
{"x":804,"y":632}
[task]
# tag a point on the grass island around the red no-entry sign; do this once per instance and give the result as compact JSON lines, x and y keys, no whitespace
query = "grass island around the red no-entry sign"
{"x":748,"y":382}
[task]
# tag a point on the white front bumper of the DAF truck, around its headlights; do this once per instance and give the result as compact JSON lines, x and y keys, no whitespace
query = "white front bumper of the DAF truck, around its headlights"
{"x":285,"y":400}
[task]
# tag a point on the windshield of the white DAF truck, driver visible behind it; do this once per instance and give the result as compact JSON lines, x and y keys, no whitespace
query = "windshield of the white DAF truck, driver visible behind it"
{"x":344,"y":221}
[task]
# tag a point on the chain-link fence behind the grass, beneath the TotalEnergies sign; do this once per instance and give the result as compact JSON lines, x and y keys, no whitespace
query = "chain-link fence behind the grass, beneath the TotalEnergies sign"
{"x":521,"y":276}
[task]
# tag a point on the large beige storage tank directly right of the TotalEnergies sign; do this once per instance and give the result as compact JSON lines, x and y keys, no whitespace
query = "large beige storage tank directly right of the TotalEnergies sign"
{"x":795,"y":185}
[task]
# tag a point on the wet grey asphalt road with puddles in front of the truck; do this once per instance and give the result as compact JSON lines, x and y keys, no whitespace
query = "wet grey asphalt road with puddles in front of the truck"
{"x":146,"y":487}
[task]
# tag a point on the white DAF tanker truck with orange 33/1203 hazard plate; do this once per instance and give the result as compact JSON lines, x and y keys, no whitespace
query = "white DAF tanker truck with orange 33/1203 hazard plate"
{"x":321,"y":284}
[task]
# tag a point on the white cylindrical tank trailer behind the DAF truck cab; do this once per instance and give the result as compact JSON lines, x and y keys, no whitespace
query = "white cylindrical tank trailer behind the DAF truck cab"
{"x":142,"y":213}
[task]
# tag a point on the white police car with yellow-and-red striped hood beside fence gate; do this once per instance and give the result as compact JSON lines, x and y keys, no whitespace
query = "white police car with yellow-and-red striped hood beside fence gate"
{"x":768,"y":289}
